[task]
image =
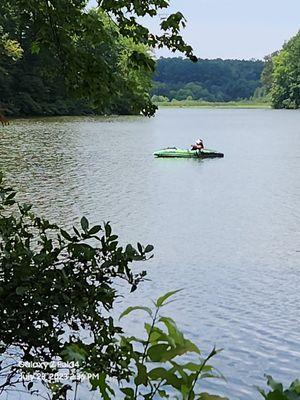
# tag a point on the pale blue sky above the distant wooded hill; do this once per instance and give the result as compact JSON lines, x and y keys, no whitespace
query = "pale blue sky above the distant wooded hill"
{"x":239,"y":29}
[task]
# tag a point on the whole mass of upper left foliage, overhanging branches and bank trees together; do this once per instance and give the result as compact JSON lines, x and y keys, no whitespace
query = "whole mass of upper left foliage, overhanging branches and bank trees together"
{"x":99,"y":57}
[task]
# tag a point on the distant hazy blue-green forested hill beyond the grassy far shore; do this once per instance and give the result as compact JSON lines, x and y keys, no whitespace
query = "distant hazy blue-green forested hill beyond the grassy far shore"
{"x":209,"y":80}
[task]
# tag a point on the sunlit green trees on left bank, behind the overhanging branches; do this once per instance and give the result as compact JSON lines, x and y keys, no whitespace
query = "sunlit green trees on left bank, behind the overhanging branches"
{"x":116,"y":79}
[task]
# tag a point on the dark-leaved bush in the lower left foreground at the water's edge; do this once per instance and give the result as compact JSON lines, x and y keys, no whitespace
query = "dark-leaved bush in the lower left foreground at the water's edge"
{"x":56,"y":289}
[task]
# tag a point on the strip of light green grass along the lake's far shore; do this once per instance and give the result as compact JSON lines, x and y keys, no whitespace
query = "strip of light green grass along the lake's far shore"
{"x":206,"y":104}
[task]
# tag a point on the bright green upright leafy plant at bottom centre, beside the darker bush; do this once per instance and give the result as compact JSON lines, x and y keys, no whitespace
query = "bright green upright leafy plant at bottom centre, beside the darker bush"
{"x":159,"y":365}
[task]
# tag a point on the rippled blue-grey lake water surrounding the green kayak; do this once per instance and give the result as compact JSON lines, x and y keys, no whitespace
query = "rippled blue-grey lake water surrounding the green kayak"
{"x":226,"y":230}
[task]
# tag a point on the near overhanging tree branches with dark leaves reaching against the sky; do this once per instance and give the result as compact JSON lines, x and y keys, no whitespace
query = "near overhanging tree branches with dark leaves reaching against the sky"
{"x":71,"y":35}
